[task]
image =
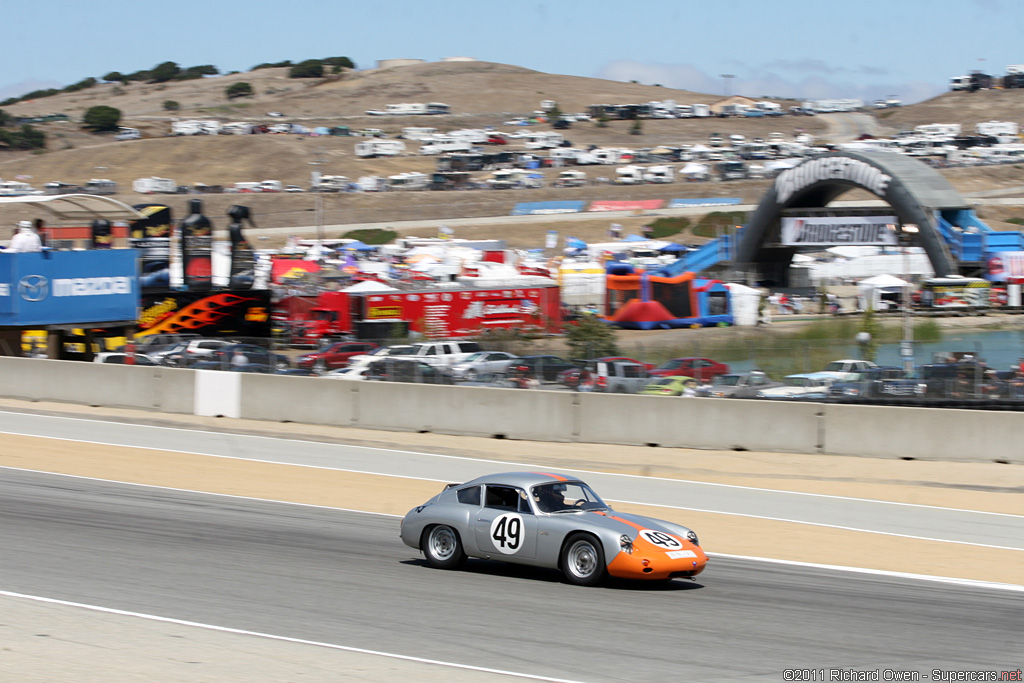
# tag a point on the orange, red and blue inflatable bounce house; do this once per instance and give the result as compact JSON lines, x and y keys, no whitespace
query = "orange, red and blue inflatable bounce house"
{"x":639,"y":301}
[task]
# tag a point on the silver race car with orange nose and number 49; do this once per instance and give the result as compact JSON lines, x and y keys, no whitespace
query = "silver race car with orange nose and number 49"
{"x":548,"y":521}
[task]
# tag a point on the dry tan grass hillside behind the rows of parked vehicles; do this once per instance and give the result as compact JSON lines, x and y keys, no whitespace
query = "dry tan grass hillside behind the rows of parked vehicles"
{"x":480,"y":94}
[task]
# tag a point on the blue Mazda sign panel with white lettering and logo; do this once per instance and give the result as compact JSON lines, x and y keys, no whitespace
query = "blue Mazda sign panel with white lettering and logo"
{"x":69,"y":287}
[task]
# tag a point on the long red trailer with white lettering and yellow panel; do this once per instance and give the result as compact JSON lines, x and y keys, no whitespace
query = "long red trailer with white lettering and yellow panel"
{"x":441,"y":315}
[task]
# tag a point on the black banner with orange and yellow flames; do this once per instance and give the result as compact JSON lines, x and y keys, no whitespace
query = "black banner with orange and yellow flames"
{"x":219,"y":314}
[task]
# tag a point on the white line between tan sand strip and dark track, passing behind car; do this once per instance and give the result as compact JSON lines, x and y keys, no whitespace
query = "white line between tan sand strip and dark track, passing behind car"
{"x":836,"y":568}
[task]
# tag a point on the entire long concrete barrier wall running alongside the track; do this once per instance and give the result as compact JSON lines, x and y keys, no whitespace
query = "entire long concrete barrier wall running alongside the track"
{"x":912,"y":434}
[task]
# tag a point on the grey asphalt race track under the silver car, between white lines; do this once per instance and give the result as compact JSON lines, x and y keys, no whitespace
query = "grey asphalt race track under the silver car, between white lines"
{"x":345,"y":578}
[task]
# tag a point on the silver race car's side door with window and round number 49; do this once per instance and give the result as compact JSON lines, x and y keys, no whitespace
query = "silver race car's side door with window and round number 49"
{"x":505,"y":528}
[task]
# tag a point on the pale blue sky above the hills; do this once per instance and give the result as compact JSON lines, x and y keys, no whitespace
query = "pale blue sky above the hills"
{"x":786,"y":49}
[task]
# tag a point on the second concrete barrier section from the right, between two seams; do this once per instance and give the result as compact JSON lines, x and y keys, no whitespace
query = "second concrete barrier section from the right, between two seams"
{"x":701,"y":423}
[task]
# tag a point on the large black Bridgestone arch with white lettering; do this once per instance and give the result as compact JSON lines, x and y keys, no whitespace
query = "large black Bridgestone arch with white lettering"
{"x":914,"y":191}
